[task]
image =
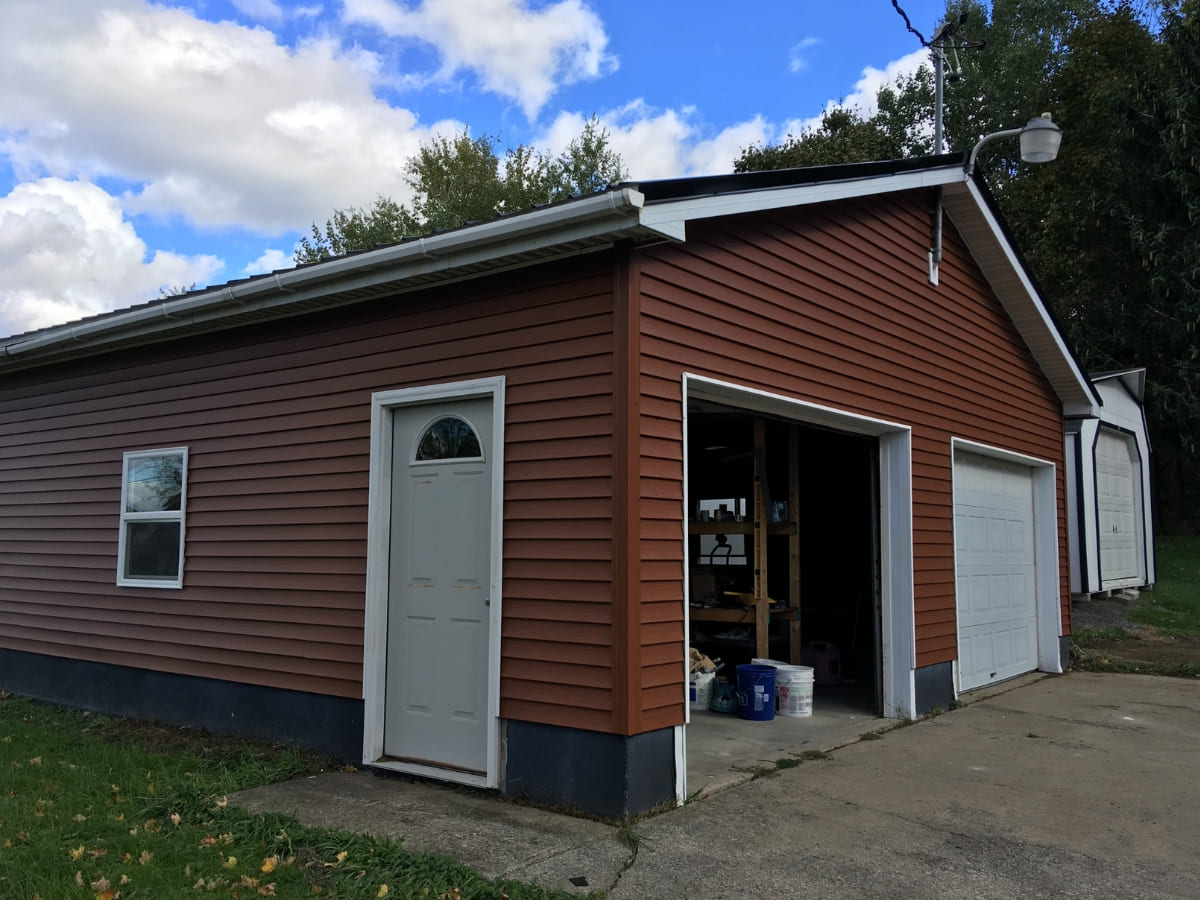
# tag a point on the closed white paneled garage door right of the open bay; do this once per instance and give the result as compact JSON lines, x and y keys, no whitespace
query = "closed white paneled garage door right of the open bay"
{"x":995,"y":563}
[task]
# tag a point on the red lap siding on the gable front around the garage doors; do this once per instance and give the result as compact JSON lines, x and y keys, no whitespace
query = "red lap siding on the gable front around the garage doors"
{"x":831,"y":304}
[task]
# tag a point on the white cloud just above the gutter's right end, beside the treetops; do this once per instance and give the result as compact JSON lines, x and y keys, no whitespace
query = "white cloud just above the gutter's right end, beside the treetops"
{"x":663,"y":143}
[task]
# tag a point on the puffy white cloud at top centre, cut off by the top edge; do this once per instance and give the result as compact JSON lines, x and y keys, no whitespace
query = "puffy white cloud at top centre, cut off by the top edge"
{"x":518,"y":52}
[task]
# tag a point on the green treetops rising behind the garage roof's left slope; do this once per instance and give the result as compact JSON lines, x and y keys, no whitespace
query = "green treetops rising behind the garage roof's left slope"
{"x":464,"y":179}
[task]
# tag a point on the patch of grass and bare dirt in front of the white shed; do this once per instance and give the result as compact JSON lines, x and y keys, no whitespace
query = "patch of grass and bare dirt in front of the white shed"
{"x":1167,"y":640}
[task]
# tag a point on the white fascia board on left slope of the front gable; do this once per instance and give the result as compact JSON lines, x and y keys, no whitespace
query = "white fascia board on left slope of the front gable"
{"x":671,"y":217}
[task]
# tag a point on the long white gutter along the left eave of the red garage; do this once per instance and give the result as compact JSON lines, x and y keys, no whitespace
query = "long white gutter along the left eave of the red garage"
{"x":585,"y":218}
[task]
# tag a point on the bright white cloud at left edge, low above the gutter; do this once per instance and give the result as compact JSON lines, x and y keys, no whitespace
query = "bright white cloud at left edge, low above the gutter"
{"x":67,"y":253}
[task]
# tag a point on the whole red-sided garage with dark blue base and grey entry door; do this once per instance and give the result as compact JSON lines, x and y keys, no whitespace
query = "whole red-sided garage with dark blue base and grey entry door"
{"x":457,"y":507}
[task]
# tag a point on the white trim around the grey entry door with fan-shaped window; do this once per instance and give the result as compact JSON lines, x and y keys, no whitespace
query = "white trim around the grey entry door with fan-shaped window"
{"x":375,"y":644}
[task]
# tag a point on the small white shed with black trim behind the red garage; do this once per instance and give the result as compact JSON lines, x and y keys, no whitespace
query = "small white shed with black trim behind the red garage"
{"x":1111,"y":519}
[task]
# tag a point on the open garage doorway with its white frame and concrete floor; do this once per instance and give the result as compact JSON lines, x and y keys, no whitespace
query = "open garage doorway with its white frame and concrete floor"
{"x":800,"y":518}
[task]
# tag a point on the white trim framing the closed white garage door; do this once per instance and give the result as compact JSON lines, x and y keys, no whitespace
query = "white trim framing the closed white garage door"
{"x":1046,"y":548}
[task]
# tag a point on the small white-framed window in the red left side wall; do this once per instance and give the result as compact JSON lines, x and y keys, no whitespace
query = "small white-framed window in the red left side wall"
{"x":154,"y":496}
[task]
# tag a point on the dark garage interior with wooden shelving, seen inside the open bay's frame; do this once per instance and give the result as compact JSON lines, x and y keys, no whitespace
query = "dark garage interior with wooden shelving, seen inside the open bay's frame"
{"x":817,"y":508}
